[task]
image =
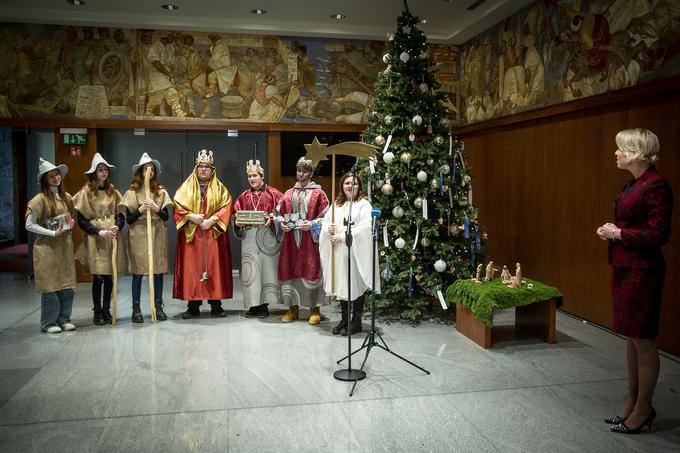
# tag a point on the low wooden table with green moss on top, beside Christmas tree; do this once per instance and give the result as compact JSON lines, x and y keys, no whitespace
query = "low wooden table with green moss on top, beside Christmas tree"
{"x":476,"y":303}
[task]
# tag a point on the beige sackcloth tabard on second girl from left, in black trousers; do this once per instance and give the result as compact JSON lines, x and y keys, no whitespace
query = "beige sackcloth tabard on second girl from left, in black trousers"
{"x":95,"y":252}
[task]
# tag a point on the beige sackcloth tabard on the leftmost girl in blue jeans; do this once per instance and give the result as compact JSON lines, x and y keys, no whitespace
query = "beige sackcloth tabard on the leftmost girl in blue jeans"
{"x":53,"y":262}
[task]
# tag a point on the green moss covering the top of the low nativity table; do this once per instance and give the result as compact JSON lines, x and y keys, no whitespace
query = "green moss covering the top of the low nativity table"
{"x":482,"y":299}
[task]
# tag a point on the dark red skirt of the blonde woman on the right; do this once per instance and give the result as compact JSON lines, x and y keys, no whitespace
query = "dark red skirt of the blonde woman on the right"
{"x":637,"y":300}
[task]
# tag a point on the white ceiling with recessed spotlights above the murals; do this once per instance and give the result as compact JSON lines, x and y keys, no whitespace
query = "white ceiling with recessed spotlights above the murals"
{"x":447,"y":21}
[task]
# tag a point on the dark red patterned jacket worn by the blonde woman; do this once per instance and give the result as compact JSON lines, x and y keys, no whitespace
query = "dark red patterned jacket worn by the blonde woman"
{"x":643,"y":211}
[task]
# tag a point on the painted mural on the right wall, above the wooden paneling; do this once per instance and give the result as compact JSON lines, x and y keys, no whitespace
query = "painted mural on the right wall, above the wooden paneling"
{"x":556,"y":51}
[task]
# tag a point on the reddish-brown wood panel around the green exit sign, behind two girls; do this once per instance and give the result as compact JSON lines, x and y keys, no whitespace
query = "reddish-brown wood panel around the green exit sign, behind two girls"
{"x":75,"y":179}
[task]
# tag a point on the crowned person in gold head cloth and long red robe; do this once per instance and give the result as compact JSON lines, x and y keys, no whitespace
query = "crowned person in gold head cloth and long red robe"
{"x":203,"y":257}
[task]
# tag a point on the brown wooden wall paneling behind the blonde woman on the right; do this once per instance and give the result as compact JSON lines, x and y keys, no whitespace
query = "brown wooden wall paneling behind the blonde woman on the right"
{"x":543,"y":186}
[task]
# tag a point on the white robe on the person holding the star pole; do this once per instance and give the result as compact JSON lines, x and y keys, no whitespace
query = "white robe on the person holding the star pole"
{"x":361,"y":275}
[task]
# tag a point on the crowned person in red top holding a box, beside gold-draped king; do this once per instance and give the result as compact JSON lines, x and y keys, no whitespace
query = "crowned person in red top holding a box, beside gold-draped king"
{"x":259,"y":249}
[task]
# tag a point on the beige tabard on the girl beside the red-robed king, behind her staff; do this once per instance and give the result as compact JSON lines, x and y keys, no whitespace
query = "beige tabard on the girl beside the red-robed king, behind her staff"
{"x":138,"y":259}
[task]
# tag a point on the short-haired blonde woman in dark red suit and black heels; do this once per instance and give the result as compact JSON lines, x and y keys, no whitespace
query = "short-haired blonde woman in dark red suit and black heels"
{"x":642,"y":224}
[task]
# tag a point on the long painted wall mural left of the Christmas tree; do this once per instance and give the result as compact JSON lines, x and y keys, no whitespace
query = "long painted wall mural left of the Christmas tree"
{"x":112,"y":73}
